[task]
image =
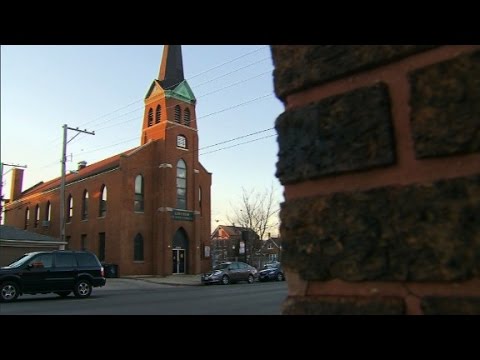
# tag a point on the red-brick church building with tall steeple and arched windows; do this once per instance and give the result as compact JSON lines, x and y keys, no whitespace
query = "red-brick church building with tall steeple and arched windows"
{"x":146,"y":209}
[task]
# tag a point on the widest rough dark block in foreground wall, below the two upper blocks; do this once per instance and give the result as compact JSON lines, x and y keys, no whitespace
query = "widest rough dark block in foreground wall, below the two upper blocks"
{"x":428,"y":232}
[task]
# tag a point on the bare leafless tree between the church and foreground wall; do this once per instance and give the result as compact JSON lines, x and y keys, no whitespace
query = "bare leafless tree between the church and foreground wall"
{"x":257,"y":211}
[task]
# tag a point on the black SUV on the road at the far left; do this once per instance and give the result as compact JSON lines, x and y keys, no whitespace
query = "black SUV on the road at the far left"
{"x":60,"y":272}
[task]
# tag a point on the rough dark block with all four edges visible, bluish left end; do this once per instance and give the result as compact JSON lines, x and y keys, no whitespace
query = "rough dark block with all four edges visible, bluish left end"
{"x":351,"y":131}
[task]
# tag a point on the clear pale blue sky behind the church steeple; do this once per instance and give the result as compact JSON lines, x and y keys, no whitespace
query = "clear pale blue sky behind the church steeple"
{"x":101,"y":88}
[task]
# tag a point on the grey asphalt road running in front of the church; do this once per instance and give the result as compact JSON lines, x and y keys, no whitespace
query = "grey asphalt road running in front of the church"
{"x":136,"y":297}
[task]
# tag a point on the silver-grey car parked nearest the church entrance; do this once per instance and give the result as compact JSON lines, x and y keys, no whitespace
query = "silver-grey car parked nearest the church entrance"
{"x":230,"y":272}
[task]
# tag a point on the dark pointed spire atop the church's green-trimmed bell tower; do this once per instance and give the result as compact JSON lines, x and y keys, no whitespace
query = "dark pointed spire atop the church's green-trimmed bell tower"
{"x":171,"y":69}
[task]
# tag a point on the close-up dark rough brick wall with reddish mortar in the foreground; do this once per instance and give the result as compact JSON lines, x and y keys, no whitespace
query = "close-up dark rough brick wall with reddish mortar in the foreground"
{"x":379,"y":154}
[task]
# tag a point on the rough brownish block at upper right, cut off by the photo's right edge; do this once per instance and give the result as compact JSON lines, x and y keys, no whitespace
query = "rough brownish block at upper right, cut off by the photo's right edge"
{"x":445,"y":102}
